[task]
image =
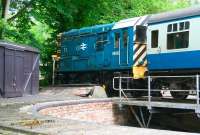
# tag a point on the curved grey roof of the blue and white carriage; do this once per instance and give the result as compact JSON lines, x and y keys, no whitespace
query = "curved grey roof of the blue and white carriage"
{"x":173,"y":15}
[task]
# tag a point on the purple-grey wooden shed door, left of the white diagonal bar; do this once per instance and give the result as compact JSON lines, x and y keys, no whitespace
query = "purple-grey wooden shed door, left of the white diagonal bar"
{"x":13,"y":74}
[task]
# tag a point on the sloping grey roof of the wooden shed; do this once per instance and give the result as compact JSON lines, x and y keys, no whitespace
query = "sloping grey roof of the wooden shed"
{"x":11,"y":45}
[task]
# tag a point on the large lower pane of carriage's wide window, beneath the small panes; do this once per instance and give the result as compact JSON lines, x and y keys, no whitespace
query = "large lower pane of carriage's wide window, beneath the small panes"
{"x":178,"y":40}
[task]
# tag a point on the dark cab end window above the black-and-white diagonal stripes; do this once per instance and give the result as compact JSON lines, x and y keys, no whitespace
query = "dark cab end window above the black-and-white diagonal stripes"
{"x":141,"y":34}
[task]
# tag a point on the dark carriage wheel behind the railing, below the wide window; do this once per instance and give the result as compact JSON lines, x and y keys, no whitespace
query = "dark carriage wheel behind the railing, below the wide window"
{"x":176,"y":94}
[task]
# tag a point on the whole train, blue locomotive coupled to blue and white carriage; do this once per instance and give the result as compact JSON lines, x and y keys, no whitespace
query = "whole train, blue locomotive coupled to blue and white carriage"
{"x":161,"y":44}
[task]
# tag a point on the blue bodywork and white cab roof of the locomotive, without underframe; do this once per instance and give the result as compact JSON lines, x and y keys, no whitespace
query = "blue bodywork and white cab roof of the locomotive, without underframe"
{"x":101,"y":47}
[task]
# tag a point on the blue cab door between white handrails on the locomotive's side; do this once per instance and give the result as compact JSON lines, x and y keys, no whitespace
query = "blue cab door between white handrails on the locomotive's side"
{"x":123,"y":47}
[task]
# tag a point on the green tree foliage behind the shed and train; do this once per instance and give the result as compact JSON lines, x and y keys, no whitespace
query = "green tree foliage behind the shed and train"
{"x":40,"y":21}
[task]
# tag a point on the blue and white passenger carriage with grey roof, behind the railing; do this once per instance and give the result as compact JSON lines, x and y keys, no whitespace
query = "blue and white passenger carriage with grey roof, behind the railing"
{"x":174,"y":47}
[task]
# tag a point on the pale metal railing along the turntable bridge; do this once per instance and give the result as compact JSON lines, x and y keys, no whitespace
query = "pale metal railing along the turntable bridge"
{"x":149,"y":79}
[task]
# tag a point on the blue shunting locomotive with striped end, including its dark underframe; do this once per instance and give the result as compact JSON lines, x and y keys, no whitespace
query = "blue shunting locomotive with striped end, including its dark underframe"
{"x":96,"y":53}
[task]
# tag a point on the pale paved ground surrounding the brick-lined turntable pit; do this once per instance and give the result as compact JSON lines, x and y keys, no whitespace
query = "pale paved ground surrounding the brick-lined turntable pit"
{"x":16,"y":116}
